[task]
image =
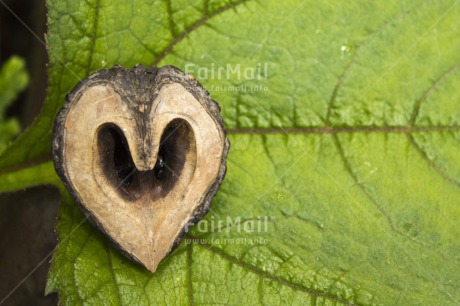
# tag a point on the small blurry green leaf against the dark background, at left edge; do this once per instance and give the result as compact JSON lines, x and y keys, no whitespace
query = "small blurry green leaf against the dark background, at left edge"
{"x":13,"y":79}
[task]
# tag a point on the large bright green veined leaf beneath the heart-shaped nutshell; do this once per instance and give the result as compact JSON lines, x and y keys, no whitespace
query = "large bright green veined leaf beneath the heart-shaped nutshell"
{"x":346,"y":139}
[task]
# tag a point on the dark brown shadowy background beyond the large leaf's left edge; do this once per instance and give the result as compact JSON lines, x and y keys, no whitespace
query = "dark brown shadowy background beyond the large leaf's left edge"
{"x":28,"y":217}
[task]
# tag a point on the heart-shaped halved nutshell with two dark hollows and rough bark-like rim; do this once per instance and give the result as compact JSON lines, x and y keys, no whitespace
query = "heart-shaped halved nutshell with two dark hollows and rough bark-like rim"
{"x":142,"y":152}
